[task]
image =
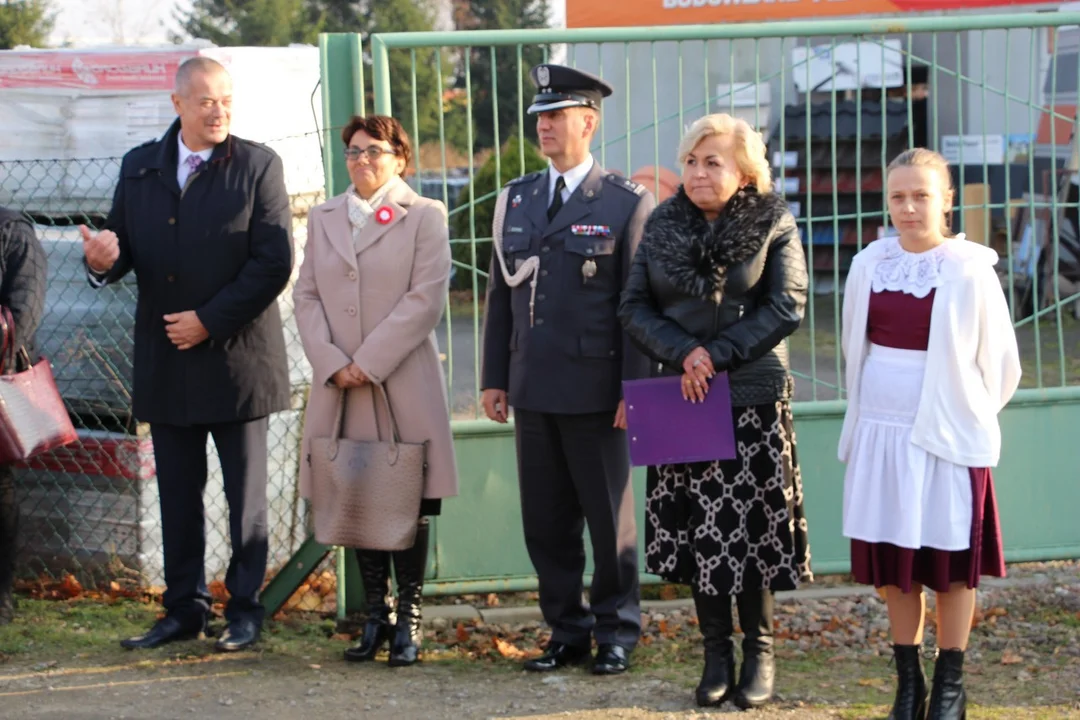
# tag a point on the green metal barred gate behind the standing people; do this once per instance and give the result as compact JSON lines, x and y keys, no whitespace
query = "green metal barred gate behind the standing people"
{"x":1003,"y":93}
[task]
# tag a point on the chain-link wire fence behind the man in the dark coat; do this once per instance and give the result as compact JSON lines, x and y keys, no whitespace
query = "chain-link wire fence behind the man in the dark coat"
{"x":92,"y":509}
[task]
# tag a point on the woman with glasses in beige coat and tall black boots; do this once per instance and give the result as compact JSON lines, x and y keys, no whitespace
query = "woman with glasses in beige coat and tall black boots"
{"x":371,"y":293}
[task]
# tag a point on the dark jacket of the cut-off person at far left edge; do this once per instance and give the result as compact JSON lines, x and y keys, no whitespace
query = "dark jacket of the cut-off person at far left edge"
{"x":23,"y":277}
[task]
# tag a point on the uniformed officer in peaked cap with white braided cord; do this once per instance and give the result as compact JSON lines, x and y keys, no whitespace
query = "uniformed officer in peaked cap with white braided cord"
{"x":556,"y":352}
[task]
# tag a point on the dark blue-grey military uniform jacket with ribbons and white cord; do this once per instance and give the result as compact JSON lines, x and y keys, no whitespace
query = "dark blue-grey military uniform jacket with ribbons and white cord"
{"x":573,"y":358}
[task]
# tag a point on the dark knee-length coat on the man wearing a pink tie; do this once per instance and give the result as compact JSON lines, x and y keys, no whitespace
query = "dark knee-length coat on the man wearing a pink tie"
{"x":223,"y":248}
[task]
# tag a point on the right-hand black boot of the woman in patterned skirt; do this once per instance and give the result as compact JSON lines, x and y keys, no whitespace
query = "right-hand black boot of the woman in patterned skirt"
{"x":759,"y":671}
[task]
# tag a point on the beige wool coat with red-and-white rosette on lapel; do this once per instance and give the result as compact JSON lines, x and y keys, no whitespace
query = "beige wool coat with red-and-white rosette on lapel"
{"x":377,"y":304}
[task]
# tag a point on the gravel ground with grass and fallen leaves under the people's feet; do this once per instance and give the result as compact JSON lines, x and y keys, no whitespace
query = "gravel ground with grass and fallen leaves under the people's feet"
{"x":833,"y":658}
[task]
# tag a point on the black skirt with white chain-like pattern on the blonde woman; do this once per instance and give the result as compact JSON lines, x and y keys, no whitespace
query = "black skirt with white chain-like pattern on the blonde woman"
{"x":733,"y":525}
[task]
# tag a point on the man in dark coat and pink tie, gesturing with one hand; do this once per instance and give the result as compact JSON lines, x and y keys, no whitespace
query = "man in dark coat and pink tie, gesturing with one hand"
{"x":204,"y":220}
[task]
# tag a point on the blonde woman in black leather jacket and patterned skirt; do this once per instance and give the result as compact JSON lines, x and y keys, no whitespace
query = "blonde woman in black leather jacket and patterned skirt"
{"x":718,"y":284}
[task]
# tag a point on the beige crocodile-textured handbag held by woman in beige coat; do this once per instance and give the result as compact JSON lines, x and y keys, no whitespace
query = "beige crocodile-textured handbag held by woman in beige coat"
{"x":368,"y":495}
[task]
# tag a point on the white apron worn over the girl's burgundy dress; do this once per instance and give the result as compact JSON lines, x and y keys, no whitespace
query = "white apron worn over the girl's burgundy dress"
{"x":894,"y":492}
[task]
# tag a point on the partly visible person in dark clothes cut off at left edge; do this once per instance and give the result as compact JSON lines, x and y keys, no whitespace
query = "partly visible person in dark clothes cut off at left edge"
{"x":23,"y":292}
